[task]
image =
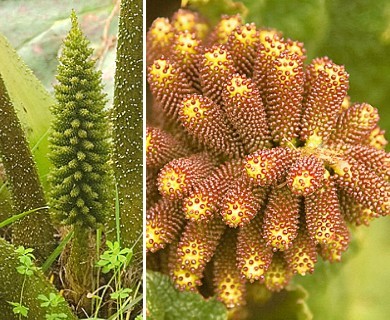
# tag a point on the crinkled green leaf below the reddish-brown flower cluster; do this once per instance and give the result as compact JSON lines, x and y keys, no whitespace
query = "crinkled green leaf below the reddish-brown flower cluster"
{"x":164,"y":302}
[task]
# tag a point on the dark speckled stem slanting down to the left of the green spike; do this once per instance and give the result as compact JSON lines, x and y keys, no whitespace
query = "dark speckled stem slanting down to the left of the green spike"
{"x":25,"y":188}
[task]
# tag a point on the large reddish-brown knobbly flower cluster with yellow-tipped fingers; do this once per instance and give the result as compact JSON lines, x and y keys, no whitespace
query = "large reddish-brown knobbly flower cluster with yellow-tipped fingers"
{"x":257,"y":161}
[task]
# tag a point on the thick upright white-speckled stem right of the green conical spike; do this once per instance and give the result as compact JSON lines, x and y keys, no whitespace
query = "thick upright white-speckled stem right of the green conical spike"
{"x":127,"y":121}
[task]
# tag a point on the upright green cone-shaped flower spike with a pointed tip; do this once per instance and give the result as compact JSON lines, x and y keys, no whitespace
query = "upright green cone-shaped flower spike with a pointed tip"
{"x":80,"y":178}
